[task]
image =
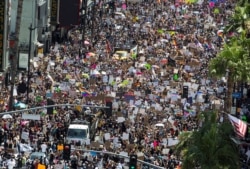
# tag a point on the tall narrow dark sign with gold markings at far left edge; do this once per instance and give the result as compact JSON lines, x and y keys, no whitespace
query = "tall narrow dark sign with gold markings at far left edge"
{"x":2,"y":11}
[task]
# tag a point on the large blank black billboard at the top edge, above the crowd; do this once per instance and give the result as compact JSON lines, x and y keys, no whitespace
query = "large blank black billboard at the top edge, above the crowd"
{"x":69,"y":12}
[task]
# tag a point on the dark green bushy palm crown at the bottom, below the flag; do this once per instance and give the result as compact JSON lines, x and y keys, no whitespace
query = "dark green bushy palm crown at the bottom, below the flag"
{"x":210,"y":146}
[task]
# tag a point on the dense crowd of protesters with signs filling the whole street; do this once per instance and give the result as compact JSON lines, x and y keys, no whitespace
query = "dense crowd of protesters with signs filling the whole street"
{"x":157,"y":89}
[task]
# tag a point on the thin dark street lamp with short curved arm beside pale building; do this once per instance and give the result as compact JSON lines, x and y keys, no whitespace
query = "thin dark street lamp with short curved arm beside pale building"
{"x":29,"y":56}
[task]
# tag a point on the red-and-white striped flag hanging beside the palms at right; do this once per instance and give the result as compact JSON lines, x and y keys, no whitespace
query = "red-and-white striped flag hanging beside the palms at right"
{"x":240,"y":127}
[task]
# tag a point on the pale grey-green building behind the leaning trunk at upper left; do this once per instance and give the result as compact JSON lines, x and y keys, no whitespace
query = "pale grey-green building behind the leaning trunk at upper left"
{"x":35,"y":13}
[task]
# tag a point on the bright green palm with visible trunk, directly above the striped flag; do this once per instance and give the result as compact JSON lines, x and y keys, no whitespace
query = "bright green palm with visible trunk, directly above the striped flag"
{"x":234,"y":61}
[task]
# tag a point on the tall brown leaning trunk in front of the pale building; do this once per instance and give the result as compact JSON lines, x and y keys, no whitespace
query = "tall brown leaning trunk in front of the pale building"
{"x":14,"y":52}
